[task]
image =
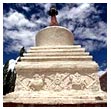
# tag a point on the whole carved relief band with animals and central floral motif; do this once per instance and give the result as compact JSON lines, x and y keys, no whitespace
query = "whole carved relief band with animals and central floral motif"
{"x":60,"y":81}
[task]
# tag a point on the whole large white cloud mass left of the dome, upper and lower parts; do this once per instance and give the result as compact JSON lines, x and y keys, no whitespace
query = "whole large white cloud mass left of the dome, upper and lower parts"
{"x":16,"y":30}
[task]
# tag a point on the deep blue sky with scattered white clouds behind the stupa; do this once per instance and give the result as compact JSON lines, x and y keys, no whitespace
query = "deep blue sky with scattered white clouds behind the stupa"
{"x":88,"y":23}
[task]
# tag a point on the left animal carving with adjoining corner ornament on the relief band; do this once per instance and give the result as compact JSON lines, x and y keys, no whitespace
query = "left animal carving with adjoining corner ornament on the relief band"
{"x":35,"y":83}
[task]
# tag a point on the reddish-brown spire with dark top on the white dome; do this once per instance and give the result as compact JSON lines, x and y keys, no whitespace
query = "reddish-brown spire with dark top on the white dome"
{"x":53,"y":12}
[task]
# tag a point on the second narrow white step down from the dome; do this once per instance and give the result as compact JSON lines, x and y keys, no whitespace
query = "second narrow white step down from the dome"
{"x":56,"y":50}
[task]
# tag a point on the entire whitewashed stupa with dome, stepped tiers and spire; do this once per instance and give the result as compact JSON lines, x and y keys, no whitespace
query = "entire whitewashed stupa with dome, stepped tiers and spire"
{"x":56,"y":71}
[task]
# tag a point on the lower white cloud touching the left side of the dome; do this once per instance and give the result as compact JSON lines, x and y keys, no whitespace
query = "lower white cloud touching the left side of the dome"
{"x":19,"y":38}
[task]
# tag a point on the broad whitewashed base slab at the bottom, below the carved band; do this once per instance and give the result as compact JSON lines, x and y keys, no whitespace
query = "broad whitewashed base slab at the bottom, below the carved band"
{"x":74,"y":98}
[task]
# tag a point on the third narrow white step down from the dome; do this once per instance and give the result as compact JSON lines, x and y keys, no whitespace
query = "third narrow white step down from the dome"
{"x":56,"y":54}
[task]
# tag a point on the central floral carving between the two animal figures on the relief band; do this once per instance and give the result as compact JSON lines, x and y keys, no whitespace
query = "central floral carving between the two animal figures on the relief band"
{"x":57,"y":81}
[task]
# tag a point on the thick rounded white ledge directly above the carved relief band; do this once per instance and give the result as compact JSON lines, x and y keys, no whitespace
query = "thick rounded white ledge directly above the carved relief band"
{"x":56,"y":66}
